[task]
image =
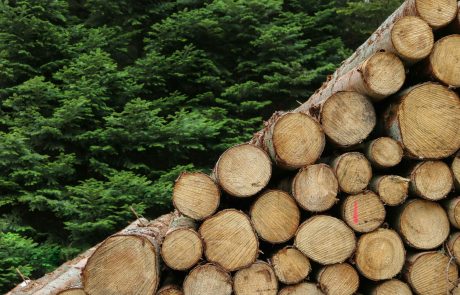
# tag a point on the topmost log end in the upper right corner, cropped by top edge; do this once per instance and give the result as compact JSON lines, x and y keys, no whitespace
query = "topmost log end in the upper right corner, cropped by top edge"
{"x":437,"y":13}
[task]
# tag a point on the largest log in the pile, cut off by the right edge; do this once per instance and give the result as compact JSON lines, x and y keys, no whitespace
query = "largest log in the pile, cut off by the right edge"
{"x":425,"y":121}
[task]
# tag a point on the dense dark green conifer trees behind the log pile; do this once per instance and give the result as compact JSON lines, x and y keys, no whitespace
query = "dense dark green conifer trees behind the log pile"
{"x":104,"y":102}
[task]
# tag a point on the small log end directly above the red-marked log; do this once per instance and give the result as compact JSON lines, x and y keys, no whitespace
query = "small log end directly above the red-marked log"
{"x":353,"y":172}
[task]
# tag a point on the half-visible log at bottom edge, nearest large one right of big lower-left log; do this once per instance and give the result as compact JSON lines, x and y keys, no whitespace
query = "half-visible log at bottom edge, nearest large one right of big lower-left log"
{"x":208,"y":279}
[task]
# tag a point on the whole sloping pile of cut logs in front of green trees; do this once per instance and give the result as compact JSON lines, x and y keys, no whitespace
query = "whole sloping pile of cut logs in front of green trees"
{"x":352,"y":192}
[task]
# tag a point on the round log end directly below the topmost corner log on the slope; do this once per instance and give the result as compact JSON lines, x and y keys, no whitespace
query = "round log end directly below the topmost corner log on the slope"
{"x":412,"y":38}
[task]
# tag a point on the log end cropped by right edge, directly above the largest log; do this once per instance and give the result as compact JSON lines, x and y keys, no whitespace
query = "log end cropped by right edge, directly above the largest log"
{"x":445,"y":60}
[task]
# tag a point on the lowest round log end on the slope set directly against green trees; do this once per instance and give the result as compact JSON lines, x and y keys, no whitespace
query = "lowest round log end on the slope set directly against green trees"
{"x":196,"y":195}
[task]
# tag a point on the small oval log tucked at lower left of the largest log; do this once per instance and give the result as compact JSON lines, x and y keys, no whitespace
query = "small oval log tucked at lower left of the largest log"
{"x":384,"y":152}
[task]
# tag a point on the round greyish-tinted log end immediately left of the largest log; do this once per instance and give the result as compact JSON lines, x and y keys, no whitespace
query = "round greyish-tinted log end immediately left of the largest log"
{"x":347,"y":118}
